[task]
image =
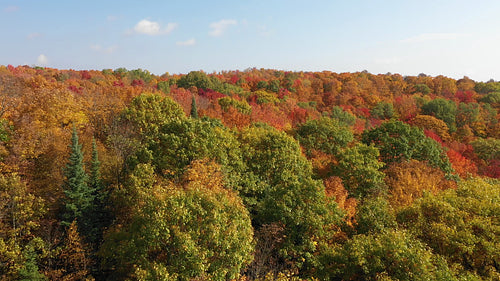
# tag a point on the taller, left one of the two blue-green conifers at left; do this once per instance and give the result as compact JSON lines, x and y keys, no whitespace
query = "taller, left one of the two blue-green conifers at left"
{"x":78,"y":194}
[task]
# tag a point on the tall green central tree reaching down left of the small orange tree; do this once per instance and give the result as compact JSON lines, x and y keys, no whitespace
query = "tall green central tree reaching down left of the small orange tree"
{"x":285,"y":193}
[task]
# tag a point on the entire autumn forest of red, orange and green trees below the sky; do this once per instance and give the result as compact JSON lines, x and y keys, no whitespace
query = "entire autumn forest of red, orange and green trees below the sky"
{"x":257,"y":174}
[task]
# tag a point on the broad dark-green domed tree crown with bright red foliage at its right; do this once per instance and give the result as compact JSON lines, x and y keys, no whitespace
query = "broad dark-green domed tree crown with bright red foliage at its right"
{"x":401,"y":142}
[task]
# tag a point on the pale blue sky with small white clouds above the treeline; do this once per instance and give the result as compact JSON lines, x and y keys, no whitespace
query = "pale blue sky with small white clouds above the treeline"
{"x":438,"y":37}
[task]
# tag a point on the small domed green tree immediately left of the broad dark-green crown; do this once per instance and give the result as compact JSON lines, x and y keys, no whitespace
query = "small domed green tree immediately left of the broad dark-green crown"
{"x":324,"y":134}
